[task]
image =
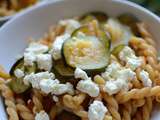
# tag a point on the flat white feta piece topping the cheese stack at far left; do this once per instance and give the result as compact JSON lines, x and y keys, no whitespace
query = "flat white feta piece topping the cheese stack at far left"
{"x":36,"y":48}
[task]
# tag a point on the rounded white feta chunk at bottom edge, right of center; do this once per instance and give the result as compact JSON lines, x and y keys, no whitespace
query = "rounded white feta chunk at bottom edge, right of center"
{"x":97,"y":111}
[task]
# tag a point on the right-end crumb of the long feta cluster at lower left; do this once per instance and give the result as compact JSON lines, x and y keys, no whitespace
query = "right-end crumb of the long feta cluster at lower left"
{"x":59,"y":89}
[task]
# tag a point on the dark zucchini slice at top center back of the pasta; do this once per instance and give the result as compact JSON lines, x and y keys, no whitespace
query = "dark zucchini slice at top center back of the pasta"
{"x":100,"y":16}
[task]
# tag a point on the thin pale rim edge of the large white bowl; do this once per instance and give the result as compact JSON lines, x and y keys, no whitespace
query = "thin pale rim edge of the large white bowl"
{"x":44,"y":4}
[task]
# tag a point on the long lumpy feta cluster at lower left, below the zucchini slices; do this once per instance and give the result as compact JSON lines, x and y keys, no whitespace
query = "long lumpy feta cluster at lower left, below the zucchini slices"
{"x":46,"y":83}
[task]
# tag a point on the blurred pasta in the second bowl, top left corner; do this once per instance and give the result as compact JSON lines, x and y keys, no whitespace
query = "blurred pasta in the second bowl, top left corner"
{"x":10,"y":7}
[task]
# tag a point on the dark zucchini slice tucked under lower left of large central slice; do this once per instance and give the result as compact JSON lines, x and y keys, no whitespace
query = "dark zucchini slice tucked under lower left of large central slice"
{"x":62,"y":69}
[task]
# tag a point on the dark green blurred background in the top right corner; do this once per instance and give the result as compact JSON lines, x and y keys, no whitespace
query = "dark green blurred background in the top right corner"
{"x":153,"y":5}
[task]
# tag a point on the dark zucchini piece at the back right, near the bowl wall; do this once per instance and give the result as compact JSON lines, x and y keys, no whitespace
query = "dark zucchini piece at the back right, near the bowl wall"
{"x":130,"y":20}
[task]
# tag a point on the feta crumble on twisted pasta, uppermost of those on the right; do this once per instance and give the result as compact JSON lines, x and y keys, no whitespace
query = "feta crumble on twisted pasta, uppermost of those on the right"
{"x":127,"y":55}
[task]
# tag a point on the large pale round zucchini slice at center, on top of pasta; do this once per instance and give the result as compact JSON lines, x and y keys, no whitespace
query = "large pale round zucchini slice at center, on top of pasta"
{"x":85,"y":52}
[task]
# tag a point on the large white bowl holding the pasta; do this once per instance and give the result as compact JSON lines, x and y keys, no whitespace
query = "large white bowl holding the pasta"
{"x":35,"y":21}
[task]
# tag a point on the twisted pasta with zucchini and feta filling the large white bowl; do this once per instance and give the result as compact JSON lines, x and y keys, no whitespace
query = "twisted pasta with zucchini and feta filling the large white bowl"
{"x":92,"y":67}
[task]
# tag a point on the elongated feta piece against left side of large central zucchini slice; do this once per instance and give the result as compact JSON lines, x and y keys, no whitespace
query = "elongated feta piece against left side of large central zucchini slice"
{"x":57,"y":46}
